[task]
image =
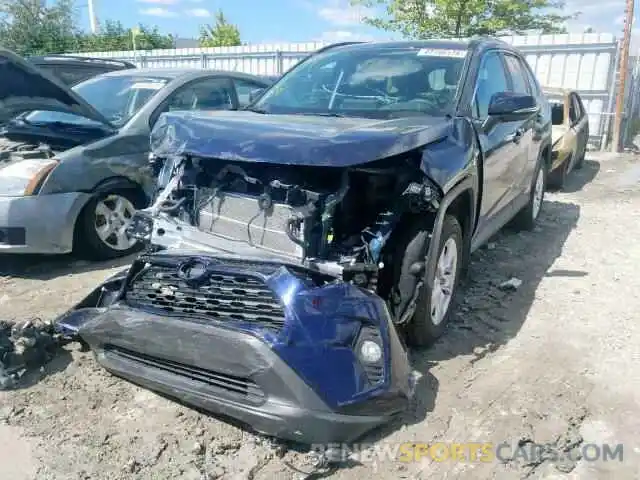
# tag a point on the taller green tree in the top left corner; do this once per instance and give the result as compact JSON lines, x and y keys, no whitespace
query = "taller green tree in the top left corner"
{"x":30,"y":28}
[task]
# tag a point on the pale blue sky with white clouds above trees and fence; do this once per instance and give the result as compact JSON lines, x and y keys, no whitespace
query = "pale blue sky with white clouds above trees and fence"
{"x":284,"y":21}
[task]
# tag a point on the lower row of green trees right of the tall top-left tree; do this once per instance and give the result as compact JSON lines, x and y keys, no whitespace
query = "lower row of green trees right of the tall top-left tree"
{"x":113,"y":36}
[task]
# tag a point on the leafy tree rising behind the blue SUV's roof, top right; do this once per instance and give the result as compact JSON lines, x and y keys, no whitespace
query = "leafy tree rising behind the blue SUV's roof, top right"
{"x":421,"y":19}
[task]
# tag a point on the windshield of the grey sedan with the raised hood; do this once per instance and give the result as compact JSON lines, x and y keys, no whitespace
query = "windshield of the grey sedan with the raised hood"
{"x":117,"y":98}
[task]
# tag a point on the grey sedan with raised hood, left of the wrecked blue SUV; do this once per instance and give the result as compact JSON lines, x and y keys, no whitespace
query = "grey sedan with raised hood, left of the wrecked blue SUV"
{"x":74,"y":163}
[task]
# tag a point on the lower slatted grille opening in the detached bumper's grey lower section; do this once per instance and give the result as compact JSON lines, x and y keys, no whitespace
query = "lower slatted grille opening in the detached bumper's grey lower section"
{"x":228,"y":384}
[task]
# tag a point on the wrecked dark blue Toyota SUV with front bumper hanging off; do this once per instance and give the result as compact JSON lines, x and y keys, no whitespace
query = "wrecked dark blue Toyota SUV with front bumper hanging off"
{"x":291,"y":243}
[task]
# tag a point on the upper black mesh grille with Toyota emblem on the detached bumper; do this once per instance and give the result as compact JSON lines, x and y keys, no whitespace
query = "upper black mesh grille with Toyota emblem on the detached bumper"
{"x":224,"y":297}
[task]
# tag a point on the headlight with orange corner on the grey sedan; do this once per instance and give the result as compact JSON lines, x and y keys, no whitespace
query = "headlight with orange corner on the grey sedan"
{"x":25,"y":177}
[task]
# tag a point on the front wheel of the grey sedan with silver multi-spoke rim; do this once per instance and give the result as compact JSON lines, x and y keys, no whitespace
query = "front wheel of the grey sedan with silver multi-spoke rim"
{"x":90,"y":242}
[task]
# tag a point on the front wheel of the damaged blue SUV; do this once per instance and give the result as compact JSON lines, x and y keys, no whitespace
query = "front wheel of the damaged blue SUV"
{"x":434,"y":305}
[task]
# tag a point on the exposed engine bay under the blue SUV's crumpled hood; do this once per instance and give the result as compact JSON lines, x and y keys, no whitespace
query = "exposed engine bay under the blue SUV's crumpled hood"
{"x":334,"y":220}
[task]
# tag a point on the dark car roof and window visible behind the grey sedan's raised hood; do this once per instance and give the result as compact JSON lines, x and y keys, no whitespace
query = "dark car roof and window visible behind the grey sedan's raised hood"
{"x":73,"y":69}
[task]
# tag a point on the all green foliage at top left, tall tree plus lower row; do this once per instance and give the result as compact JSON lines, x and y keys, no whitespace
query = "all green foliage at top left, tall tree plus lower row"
{"x":28,"y":28}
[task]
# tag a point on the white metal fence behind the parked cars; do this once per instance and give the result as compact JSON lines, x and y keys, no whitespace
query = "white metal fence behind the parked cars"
{"x":585,"y":62}
